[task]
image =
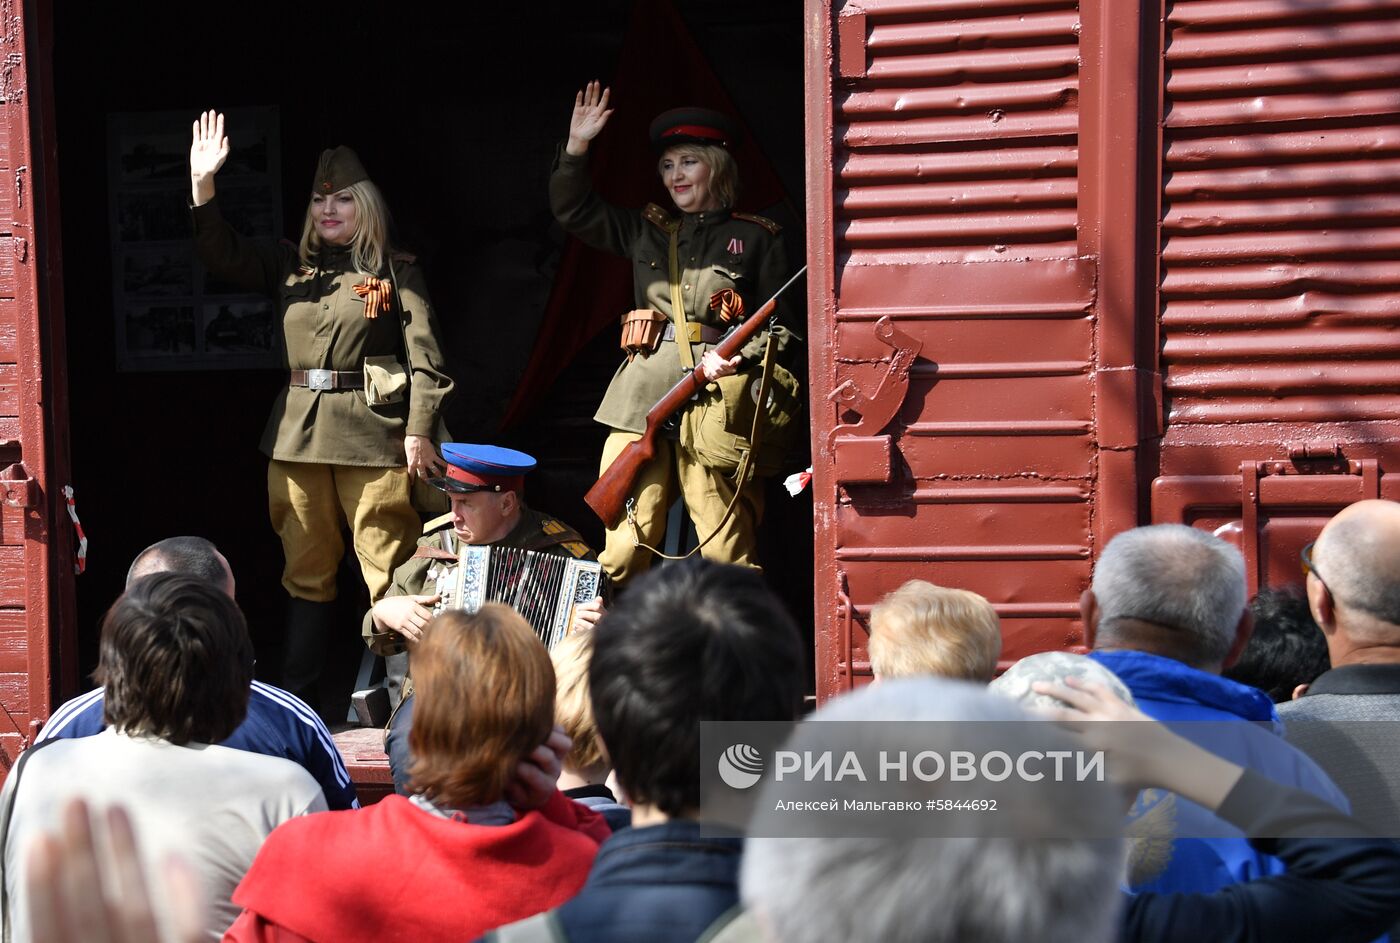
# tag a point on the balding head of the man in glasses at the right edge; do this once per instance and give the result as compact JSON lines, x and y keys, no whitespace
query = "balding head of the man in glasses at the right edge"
{"x":1359,"y":559}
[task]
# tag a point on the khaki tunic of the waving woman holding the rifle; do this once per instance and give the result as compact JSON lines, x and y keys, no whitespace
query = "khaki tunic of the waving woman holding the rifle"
{"x":717,"y":250}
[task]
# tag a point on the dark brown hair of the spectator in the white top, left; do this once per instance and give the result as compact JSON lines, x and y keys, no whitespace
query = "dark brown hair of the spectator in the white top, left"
{"x":176,"y":661}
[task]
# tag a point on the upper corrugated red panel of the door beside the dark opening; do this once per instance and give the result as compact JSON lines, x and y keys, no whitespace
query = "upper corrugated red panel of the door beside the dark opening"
{"x":958,"y":141}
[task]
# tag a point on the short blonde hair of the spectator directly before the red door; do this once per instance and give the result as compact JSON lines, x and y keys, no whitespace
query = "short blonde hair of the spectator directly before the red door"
{"x":922,"y":629}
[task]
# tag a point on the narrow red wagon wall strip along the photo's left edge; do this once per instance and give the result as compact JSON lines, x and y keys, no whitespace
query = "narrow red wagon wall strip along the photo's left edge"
{"x":34,"y":590}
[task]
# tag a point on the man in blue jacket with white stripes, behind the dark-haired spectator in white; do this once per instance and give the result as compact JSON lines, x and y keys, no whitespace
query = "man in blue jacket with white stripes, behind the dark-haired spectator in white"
{"x":278,"y":725}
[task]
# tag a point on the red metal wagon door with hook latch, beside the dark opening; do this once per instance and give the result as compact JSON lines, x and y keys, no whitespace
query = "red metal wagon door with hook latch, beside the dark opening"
{"x":947,"y":195}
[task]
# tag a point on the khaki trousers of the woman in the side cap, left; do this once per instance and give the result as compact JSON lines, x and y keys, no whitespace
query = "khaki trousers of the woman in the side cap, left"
{"x":309,"y":504}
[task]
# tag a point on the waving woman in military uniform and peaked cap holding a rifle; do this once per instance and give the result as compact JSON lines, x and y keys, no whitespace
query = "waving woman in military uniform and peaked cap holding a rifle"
{"x":696,"y":272}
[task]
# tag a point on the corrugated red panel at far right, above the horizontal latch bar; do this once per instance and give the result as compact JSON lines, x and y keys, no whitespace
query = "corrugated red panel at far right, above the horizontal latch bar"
{"x":1280,"y":233}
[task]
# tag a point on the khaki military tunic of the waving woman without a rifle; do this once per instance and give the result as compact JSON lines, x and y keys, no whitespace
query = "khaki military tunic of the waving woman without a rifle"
{"x":324,"y":328}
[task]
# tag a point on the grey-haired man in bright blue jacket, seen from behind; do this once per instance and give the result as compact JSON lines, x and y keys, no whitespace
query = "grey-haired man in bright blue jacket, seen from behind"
{"x":1167,"y":614}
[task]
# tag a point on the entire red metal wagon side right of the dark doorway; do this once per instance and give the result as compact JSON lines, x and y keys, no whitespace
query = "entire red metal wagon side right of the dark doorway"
{"x":1083,"y":265}
